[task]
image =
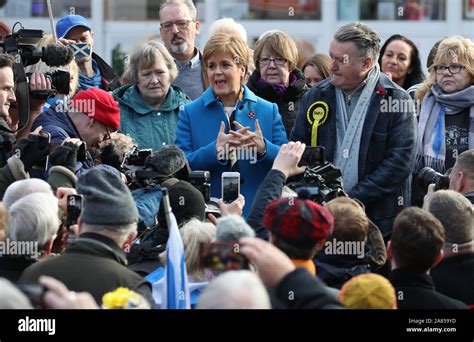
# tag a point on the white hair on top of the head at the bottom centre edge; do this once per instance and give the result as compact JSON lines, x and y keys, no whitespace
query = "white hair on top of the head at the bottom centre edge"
{"x":235,"y":290}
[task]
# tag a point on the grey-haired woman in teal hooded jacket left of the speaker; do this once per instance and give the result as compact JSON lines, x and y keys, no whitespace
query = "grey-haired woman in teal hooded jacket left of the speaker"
{"x":149,"y":106}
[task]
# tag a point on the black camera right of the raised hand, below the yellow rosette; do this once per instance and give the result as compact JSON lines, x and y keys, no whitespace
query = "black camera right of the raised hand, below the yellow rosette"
{"x":321,"y":179}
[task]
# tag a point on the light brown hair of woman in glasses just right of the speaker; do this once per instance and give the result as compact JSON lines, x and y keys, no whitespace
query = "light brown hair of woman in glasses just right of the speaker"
{"x":278,"y":43}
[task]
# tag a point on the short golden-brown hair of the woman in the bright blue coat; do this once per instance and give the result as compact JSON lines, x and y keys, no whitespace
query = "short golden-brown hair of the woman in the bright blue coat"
{"x":223,"y":43}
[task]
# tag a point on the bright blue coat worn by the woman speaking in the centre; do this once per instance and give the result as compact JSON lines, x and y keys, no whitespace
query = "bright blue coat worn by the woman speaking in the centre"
{"x":198,"y":126}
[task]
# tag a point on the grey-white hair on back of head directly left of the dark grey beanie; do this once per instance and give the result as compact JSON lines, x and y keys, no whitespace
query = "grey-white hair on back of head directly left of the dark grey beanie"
{"x":34,"y":218}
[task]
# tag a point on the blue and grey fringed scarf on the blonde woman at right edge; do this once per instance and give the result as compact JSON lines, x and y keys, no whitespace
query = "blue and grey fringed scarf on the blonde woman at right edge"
{"x":431,"y":148}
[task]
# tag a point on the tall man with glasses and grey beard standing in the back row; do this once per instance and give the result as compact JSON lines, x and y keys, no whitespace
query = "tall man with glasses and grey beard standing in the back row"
{"x":179,"y":28}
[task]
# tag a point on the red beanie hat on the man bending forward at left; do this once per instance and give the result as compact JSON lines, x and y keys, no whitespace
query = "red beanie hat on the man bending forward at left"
{"x":99,"y":105}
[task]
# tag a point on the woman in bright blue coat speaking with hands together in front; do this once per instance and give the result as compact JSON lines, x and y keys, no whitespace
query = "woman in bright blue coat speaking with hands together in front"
{"x":229,"y":128}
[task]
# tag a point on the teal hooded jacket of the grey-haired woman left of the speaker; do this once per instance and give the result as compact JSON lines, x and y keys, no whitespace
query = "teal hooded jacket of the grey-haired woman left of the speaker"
{"x":149,"y":128}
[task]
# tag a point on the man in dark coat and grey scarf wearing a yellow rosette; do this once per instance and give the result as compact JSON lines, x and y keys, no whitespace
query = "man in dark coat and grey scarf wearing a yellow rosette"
{"x":371,"y":142}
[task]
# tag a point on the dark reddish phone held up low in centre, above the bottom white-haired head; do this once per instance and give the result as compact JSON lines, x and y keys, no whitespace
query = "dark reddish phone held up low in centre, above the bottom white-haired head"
{"x":222,"y":256}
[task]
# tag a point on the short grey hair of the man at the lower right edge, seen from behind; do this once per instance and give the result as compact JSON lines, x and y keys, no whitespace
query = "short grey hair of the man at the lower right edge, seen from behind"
{"x":455,"y":213}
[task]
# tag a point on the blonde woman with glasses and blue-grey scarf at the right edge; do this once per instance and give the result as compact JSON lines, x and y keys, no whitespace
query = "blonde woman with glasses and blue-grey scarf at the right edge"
{"x":447,"y":108}
